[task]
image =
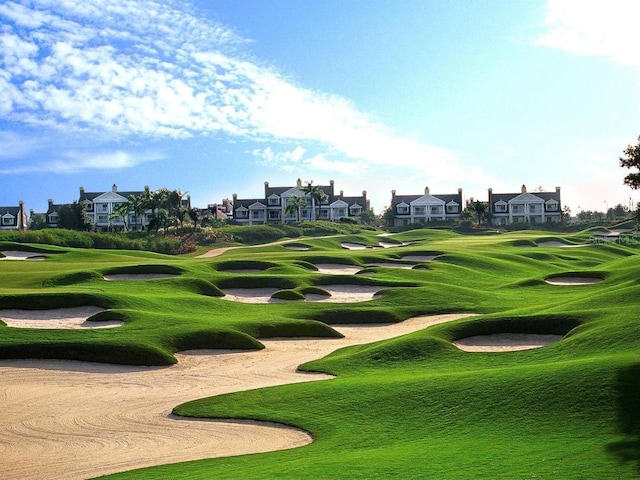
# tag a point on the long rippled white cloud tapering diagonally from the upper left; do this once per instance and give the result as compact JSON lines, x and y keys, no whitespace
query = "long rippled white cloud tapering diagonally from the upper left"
{"x":158,"y":70}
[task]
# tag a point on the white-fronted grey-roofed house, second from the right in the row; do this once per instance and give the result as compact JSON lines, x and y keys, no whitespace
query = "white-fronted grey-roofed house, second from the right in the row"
{"x":408,"y":209}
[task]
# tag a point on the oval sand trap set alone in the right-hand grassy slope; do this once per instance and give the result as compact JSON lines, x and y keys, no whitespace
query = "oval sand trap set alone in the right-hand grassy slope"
{"x":505,"y":342}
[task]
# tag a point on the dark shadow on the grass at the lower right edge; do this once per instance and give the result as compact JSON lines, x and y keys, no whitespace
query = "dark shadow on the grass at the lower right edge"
{"x":628,"y":450}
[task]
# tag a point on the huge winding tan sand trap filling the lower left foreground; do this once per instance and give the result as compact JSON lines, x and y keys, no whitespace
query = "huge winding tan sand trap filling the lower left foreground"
{"x":76,"y":420}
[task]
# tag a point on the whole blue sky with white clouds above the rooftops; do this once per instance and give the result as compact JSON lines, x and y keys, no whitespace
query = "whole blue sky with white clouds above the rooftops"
{"x":217,"y":97}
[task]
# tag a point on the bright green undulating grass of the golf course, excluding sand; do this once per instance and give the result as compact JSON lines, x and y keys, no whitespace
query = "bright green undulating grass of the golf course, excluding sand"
{"x":409,"y":407}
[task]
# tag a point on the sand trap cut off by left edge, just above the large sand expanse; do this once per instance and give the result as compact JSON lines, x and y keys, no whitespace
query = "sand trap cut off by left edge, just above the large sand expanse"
{"x":64,"y":318}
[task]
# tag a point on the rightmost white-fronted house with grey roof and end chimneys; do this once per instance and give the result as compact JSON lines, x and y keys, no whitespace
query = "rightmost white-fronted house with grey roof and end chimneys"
{"x":525,"y":207}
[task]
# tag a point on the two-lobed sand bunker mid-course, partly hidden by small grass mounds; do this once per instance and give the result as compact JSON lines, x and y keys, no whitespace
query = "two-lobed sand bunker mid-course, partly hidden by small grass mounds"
{"x":339,"y":294}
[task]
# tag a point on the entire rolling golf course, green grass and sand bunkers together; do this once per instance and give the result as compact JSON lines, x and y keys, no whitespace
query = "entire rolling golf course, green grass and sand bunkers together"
{"x":427,"y":353}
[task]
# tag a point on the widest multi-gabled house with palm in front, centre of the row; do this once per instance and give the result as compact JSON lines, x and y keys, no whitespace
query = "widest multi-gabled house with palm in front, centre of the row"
{"x":276,"y":205}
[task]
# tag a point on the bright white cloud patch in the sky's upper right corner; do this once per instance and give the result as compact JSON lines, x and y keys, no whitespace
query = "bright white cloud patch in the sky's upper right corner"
{"x":607,"y":28}
